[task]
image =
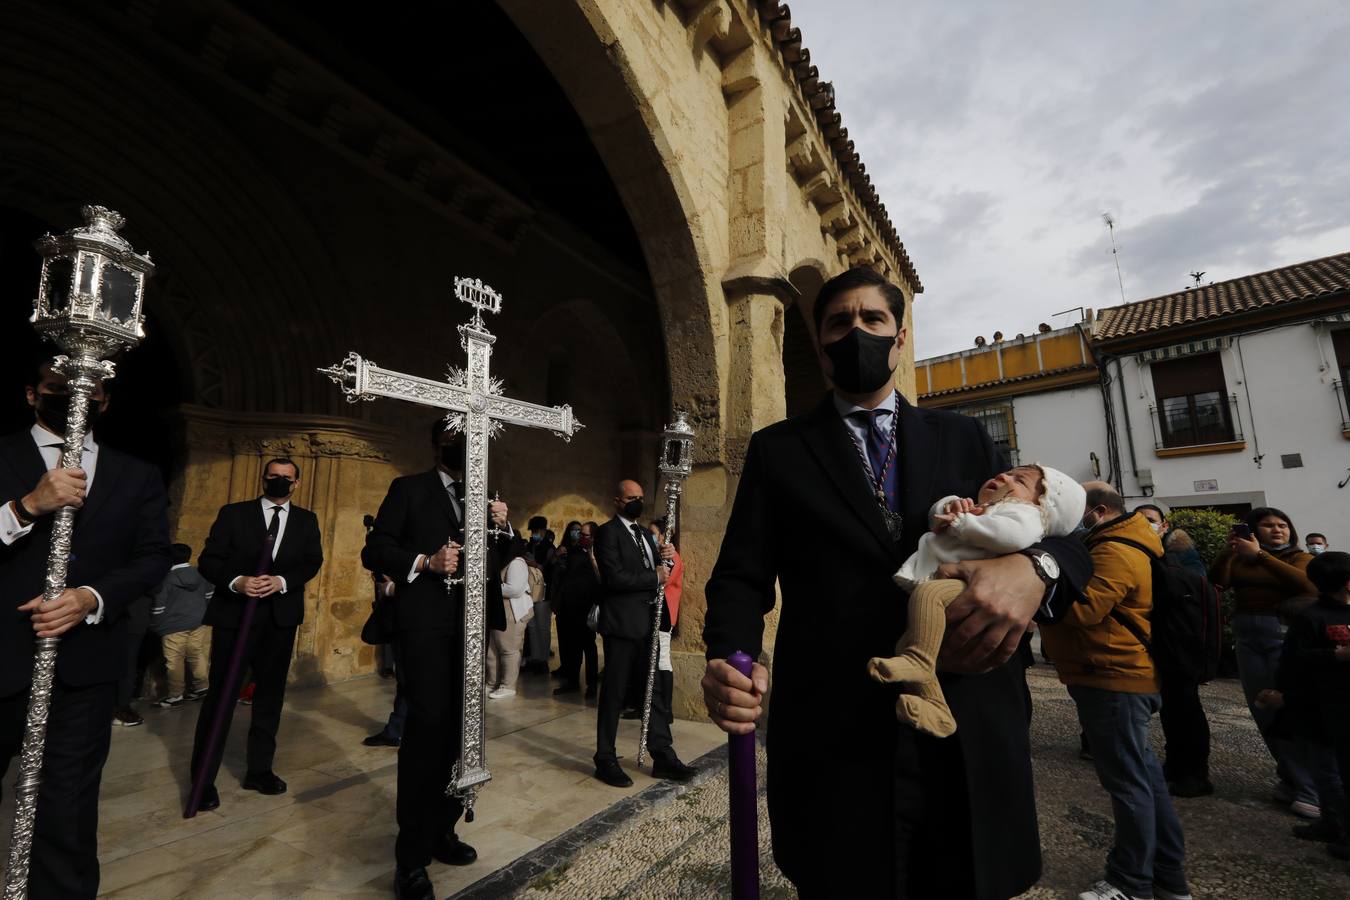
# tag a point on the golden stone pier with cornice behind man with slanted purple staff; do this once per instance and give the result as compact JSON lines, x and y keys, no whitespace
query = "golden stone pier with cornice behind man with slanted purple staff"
{"x":345,"y":472}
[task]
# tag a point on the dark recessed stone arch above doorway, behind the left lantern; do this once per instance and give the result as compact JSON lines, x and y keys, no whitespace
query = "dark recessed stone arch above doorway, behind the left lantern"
{"x":101,"y":136}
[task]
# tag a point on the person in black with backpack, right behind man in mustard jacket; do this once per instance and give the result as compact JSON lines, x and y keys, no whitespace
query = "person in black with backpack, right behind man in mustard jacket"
{"x":1189,"y":656}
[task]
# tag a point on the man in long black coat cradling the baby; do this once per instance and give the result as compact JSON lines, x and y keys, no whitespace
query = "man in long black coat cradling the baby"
{"x":853,"y":794}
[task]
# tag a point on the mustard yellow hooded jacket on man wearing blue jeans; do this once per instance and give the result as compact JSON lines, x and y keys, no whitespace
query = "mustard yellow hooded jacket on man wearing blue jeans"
{"x":1089,"y":646}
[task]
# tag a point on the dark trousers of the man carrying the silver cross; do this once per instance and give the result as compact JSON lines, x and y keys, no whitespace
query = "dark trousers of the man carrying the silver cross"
{"x":433,"y":683}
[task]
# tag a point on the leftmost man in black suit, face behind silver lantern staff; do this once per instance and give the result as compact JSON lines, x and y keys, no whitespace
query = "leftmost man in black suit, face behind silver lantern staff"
{"x":119,"y":553}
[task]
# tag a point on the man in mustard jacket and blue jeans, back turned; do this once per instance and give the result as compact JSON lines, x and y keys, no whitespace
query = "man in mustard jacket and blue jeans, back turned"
{"x":1101,"y":650}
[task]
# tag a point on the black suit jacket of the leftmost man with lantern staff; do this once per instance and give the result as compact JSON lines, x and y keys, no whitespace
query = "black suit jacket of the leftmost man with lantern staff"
{"x":121,"y":549}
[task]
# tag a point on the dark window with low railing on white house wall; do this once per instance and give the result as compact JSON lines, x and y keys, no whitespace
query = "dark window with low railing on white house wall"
{"x":1194,"y":405}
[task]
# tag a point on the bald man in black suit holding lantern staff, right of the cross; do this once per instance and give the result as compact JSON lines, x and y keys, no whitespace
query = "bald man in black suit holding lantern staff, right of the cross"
{"x":631,"y":569}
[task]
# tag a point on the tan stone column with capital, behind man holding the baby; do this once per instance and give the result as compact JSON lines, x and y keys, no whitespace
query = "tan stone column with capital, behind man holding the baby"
{"x":754,"y":399}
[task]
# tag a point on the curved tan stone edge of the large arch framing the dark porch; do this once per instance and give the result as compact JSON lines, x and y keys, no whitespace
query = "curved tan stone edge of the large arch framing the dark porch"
{"x":619,"y":109}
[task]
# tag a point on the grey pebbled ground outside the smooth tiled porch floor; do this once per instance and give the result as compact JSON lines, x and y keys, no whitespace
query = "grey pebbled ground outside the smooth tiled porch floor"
{"x":1240,"y":847}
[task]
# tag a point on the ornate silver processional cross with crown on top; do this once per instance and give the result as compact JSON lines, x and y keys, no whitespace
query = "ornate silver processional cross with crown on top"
{"x":477,"y":410}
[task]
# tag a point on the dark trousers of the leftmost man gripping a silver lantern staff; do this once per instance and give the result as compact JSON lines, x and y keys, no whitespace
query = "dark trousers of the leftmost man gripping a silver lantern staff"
{"x":65,"y":844}
